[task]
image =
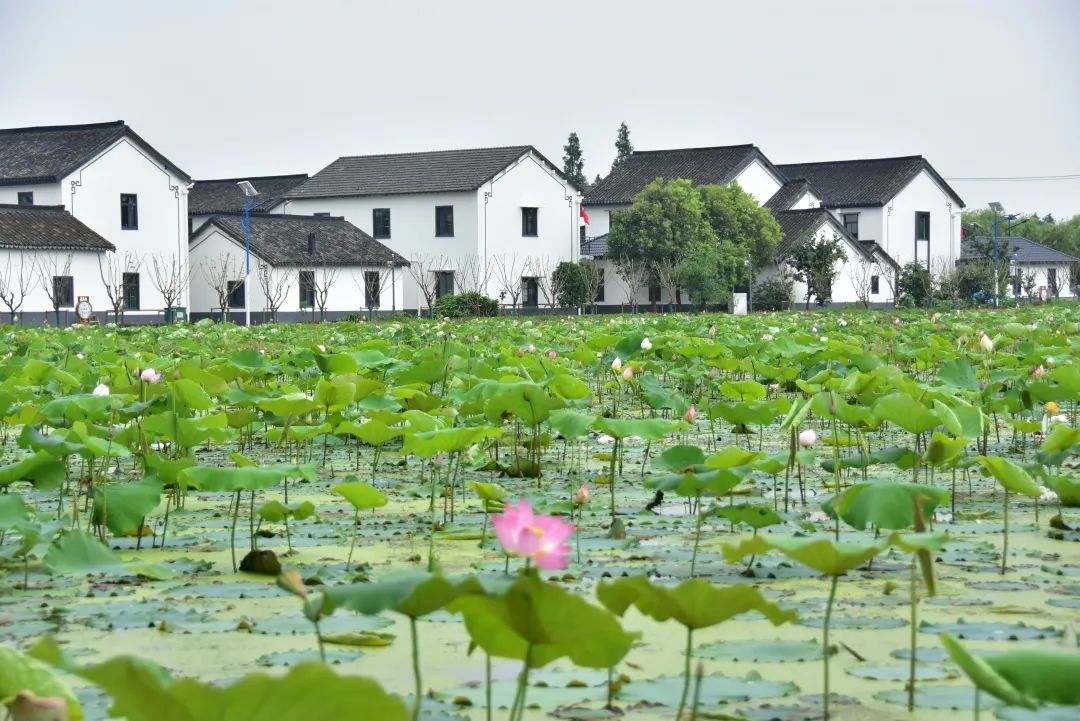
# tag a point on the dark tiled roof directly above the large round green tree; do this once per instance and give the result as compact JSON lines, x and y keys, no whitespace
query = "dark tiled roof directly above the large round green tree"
{"x":703,"y":166}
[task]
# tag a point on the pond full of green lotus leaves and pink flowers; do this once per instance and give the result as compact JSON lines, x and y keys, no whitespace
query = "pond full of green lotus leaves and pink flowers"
{"x":792,"y":516}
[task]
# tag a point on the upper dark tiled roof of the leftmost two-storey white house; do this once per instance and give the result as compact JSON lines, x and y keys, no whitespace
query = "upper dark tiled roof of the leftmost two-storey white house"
{"x":48,"y":154}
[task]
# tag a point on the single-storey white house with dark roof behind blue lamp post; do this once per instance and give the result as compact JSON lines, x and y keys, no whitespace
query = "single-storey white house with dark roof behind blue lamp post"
{"x":303,"y":268}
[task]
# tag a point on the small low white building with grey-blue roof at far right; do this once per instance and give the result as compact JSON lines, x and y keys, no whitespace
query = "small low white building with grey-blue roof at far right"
{"x":1050,"y":270}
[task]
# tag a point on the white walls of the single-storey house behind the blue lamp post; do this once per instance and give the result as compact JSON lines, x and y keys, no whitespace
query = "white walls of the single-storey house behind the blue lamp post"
{"x":346,"y":294}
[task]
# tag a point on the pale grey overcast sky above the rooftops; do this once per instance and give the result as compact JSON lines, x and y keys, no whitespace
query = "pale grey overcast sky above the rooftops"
{"x":981,"y":88}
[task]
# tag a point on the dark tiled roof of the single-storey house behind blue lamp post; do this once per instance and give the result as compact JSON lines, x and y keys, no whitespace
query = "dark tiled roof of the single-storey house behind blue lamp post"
{"x":282,"y":240}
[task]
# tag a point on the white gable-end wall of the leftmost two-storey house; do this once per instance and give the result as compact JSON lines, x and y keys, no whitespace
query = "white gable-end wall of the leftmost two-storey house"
{"x":92,"y":195}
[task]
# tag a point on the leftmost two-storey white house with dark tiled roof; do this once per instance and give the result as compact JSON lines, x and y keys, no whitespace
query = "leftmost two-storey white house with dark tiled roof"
{"x":120,"y":187}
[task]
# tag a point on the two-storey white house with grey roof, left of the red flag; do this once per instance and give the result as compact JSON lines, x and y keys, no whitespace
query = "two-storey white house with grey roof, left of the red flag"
{"x":496,"y":221}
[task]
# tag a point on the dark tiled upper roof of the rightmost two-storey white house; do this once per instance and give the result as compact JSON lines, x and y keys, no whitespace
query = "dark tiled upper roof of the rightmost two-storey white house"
{"x":863,"y":183}
